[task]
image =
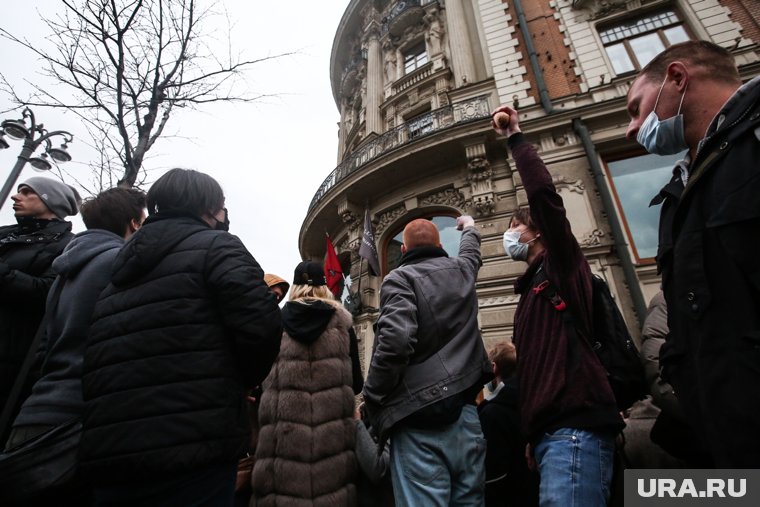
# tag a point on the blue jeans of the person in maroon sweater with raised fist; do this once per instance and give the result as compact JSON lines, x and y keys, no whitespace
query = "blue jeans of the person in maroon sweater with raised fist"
{"x":575,"y":468}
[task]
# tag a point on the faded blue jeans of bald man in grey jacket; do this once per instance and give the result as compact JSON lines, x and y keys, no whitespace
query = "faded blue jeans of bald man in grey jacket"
{"x":441,"y":466}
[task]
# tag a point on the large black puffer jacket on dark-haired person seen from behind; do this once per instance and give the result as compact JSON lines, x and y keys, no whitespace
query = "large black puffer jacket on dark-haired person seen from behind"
{"x":186,"y":324}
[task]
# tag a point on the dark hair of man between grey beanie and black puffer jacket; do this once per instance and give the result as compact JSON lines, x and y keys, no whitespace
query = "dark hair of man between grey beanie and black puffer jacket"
{"x":113,"y":209}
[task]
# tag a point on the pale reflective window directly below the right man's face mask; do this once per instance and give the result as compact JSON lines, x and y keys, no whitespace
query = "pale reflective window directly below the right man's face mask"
{"x":635,"y":182}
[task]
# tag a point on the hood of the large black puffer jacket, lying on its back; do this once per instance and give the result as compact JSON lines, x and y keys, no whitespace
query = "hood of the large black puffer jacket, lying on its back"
{"x":155,"y":239}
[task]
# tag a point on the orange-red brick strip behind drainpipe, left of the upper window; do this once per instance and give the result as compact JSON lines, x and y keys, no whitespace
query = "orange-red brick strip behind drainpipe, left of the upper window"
{"x":553,"y":56}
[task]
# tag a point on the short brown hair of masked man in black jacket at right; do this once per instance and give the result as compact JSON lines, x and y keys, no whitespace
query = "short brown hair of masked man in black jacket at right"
{"x":716,"y":60}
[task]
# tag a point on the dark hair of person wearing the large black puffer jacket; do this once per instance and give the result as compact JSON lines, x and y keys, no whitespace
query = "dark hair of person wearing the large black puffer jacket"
{"x":185,"y":191}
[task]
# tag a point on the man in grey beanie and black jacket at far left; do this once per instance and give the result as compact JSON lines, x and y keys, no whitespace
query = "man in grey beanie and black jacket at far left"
{"x":27,"y":250}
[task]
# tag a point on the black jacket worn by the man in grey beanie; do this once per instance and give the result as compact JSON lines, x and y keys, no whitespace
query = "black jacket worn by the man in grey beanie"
{"x":27,"y":251}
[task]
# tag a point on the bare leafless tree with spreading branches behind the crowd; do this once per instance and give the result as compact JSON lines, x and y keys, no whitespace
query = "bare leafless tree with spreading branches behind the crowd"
{"x":130,"y":63}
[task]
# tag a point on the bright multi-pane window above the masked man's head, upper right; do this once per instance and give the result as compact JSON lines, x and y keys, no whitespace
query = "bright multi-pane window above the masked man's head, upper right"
{"x":633,"y":43}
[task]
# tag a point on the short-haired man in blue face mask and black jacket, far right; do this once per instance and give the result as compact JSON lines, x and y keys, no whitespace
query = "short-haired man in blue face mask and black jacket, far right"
{"x":690,"y":97}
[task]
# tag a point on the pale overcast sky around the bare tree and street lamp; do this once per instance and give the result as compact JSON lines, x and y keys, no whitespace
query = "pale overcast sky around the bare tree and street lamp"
{"x":270,"y":157}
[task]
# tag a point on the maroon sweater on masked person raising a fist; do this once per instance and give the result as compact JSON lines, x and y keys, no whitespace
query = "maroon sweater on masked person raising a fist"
{"x":562,"y":383}
